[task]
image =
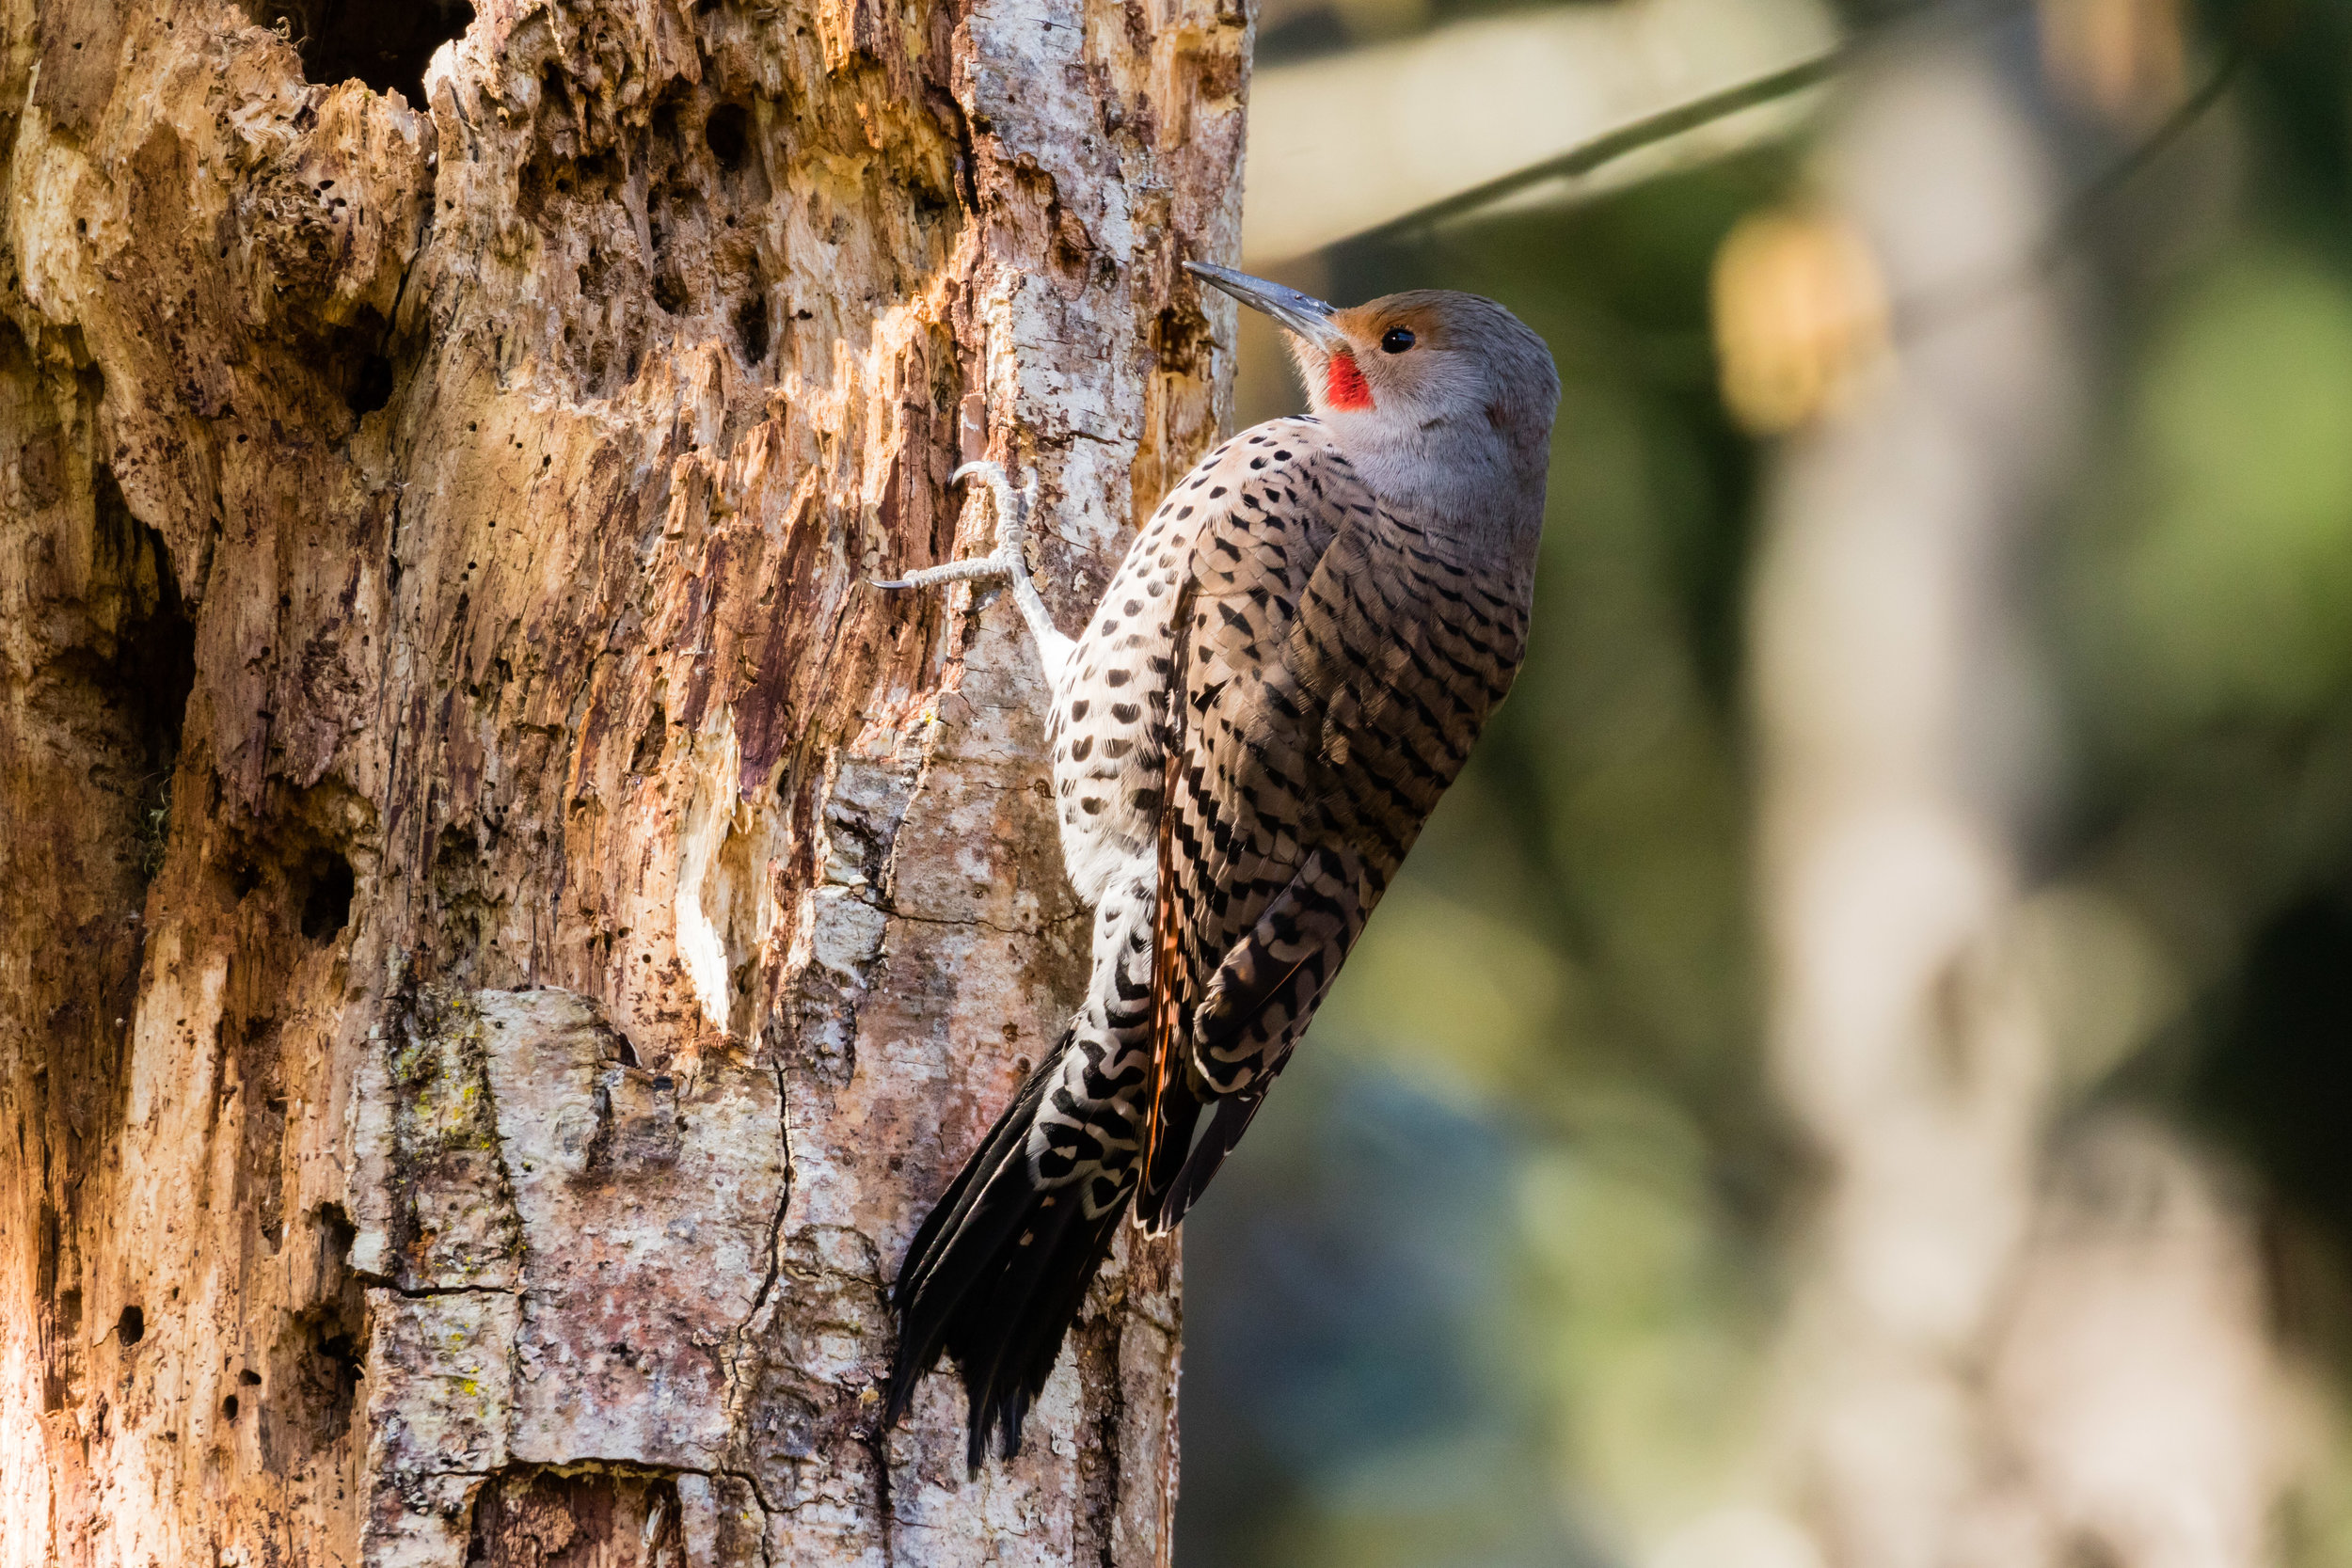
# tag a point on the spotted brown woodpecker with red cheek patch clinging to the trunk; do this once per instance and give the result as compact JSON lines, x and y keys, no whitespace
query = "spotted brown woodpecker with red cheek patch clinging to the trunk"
{"x":1278,"y":685}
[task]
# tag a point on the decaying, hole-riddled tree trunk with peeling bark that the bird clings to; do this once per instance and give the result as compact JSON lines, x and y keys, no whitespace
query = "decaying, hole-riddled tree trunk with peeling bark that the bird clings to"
{"x":500,"y":932}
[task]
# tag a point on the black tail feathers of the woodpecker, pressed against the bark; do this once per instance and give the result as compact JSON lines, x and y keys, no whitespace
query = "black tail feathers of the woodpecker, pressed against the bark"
{"x":996,"y":1278}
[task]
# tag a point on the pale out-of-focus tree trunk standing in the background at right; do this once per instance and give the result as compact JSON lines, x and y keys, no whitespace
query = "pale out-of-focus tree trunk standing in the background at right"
{"x":2017,"y":1343}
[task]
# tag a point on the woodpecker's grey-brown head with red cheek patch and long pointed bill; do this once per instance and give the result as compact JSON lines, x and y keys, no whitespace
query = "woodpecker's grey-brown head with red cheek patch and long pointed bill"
{"x":1436,"y":396}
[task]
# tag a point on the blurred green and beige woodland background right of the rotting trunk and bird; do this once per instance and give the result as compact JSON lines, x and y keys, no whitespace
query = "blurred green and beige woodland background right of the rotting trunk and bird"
{"x":1859,"y":1073}
